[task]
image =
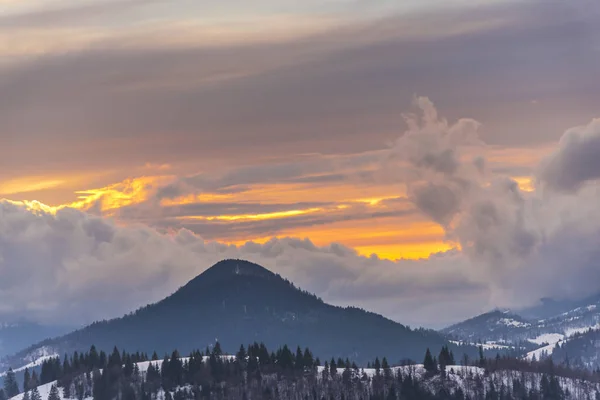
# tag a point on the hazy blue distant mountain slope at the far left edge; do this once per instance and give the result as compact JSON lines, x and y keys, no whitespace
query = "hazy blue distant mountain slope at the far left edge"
{"x":15,"y":334}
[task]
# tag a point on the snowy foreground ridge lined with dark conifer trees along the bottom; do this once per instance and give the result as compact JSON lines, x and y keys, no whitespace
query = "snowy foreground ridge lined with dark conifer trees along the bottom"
{"x":254,"y":372}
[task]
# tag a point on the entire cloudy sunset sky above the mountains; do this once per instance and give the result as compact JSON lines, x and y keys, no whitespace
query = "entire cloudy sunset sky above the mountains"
{"x":426,"y":160}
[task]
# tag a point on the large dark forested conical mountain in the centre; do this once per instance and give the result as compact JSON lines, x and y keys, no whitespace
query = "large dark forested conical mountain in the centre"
{"x":237,"y":302}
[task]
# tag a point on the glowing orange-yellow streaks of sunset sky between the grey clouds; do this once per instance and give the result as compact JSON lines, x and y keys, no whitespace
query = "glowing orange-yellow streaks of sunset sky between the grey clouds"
{"x":402,"y":236}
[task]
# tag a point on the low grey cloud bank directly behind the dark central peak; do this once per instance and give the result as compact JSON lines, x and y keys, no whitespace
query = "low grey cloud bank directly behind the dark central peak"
{"x":72,"y":267}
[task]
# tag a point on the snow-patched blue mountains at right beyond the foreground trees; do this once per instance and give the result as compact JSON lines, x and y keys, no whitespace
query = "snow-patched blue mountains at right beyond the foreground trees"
{"x":541,"y":333}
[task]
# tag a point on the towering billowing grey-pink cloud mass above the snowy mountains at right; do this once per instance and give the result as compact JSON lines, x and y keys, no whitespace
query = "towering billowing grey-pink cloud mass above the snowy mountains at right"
{"x":525,"y":244}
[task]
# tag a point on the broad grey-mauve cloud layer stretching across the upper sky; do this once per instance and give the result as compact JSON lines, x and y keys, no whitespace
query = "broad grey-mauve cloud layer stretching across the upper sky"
{"x":138,"y":98}
